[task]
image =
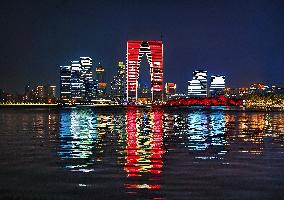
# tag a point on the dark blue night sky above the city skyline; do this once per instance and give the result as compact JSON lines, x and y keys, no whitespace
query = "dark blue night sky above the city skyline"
{"x":242,"y":39}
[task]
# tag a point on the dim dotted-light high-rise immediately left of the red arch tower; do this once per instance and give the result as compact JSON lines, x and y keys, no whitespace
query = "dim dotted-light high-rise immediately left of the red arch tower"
{"x":118,"y":84}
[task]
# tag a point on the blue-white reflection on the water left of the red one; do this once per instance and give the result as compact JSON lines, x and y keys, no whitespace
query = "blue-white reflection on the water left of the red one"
{"x":77,"y":138}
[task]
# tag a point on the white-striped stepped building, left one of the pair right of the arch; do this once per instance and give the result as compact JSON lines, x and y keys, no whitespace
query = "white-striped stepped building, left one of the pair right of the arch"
{"x":197,"y":87}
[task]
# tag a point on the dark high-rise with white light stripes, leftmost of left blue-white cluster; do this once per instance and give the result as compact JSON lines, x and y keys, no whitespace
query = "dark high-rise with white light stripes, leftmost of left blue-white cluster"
{"x":65,"y":84}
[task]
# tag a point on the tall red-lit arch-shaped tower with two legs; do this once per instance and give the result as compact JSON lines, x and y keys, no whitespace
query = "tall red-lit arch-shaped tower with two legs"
{"x":154,"y":52}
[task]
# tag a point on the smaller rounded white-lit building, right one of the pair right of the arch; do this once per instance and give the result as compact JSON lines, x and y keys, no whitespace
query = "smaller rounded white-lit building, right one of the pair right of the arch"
{"x":217,"y":85}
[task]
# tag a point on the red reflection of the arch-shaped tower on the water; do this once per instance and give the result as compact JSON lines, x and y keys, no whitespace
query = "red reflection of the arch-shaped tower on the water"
{"x":143,"y":158}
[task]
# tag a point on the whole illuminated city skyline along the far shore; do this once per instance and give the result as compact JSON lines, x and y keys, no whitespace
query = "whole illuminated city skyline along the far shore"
{"x":81,"y":85}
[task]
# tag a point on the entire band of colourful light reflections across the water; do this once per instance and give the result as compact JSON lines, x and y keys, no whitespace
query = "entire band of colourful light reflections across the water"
{"x":144,"y":136}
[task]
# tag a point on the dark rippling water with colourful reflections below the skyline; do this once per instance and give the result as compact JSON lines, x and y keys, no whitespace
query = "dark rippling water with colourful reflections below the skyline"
{"x":144,"y":153}
